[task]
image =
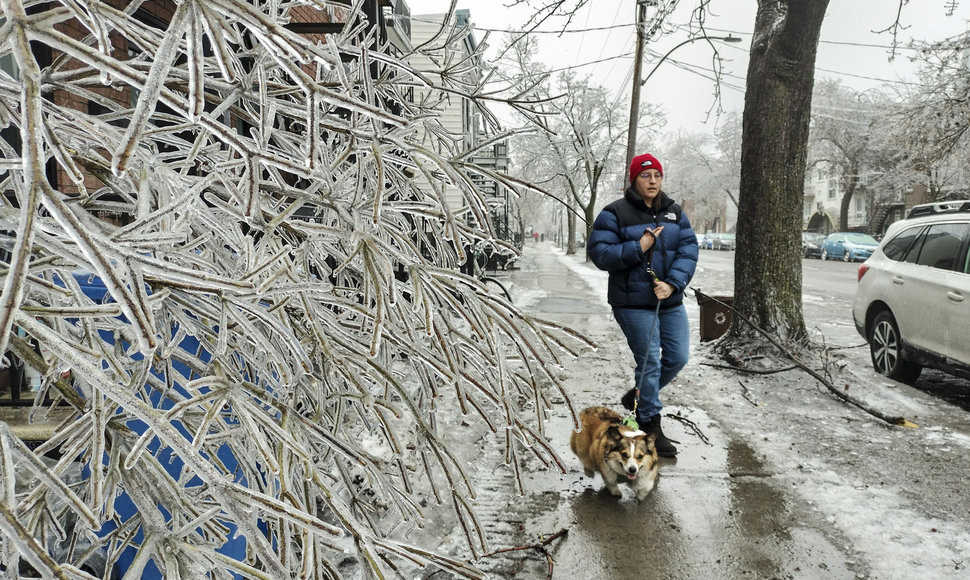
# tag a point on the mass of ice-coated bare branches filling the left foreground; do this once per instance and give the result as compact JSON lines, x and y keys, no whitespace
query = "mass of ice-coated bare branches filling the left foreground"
{"x":270,"y":342}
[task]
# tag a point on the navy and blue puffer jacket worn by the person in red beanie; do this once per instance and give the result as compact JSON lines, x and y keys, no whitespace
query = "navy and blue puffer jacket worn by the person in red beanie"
{"x":614,"y":246}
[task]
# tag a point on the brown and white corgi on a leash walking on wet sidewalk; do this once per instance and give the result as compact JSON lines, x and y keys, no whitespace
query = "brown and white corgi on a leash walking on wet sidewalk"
{"x":616,"y":451}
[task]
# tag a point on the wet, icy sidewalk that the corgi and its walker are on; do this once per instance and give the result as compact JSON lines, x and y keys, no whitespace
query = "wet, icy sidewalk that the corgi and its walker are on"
{"x":716,"y":512}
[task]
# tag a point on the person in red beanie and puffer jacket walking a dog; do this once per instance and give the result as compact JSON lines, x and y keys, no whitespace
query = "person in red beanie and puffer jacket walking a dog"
{"x":647,"y":245}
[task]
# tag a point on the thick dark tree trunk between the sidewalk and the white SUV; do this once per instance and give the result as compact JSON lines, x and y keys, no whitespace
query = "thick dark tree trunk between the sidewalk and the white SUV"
{"x":777,"y":110}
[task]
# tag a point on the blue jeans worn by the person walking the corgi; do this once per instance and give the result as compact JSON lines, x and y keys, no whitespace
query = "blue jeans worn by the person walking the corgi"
{"x":669,"y":350}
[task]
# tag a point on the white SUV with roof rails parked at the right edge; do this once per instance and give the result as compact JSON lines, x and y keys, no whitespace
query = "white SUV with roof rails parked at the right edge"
{"x":912,"y":304}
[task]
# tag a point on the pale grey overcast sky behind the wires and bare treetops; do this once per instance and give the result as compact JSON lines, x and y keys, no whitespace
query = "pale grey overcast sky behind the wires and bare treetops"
{"x":851,"y":49}
